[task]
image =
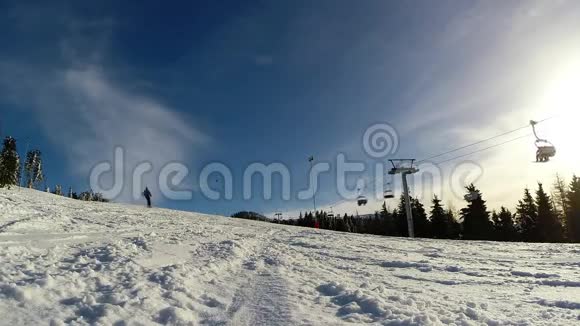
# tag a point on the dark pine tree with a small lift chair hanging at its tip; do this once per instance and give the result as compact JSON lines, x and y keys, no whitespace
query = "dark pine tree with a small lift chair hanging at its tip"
{"x":476,"y":223}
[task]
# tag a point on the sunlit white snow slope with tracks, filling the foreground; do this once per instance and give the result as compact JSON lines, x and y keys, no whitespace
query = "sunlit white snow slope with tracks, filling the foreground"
{"x":65,"y":261}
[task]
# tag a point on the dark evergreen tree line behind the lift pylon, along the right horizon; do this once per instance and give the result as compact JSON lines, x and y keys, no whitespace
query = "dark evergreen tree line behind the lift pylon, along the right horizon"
{"x":539,"y":217}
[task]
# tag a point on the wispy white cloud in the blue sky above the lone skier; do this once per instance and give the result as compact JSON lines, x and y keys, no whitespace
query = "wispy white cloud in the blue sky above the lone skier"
{"x":110,"y":117}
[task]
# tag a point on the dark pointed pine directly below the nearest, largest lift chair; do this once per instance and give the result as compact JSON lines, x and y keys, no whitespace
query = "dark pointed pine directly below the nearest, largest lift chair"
{"x":549,"y":227}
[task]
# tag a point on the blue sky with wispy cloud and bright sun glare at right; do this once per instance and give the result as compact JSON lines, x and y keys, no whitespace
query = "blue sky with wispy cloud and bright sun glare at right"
{"x":237,"y":83}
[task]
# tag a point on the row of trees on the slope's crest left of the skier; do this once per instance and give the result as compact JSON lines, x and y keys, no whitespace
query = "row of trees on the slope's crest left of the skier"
{"x":12,"y":171}
